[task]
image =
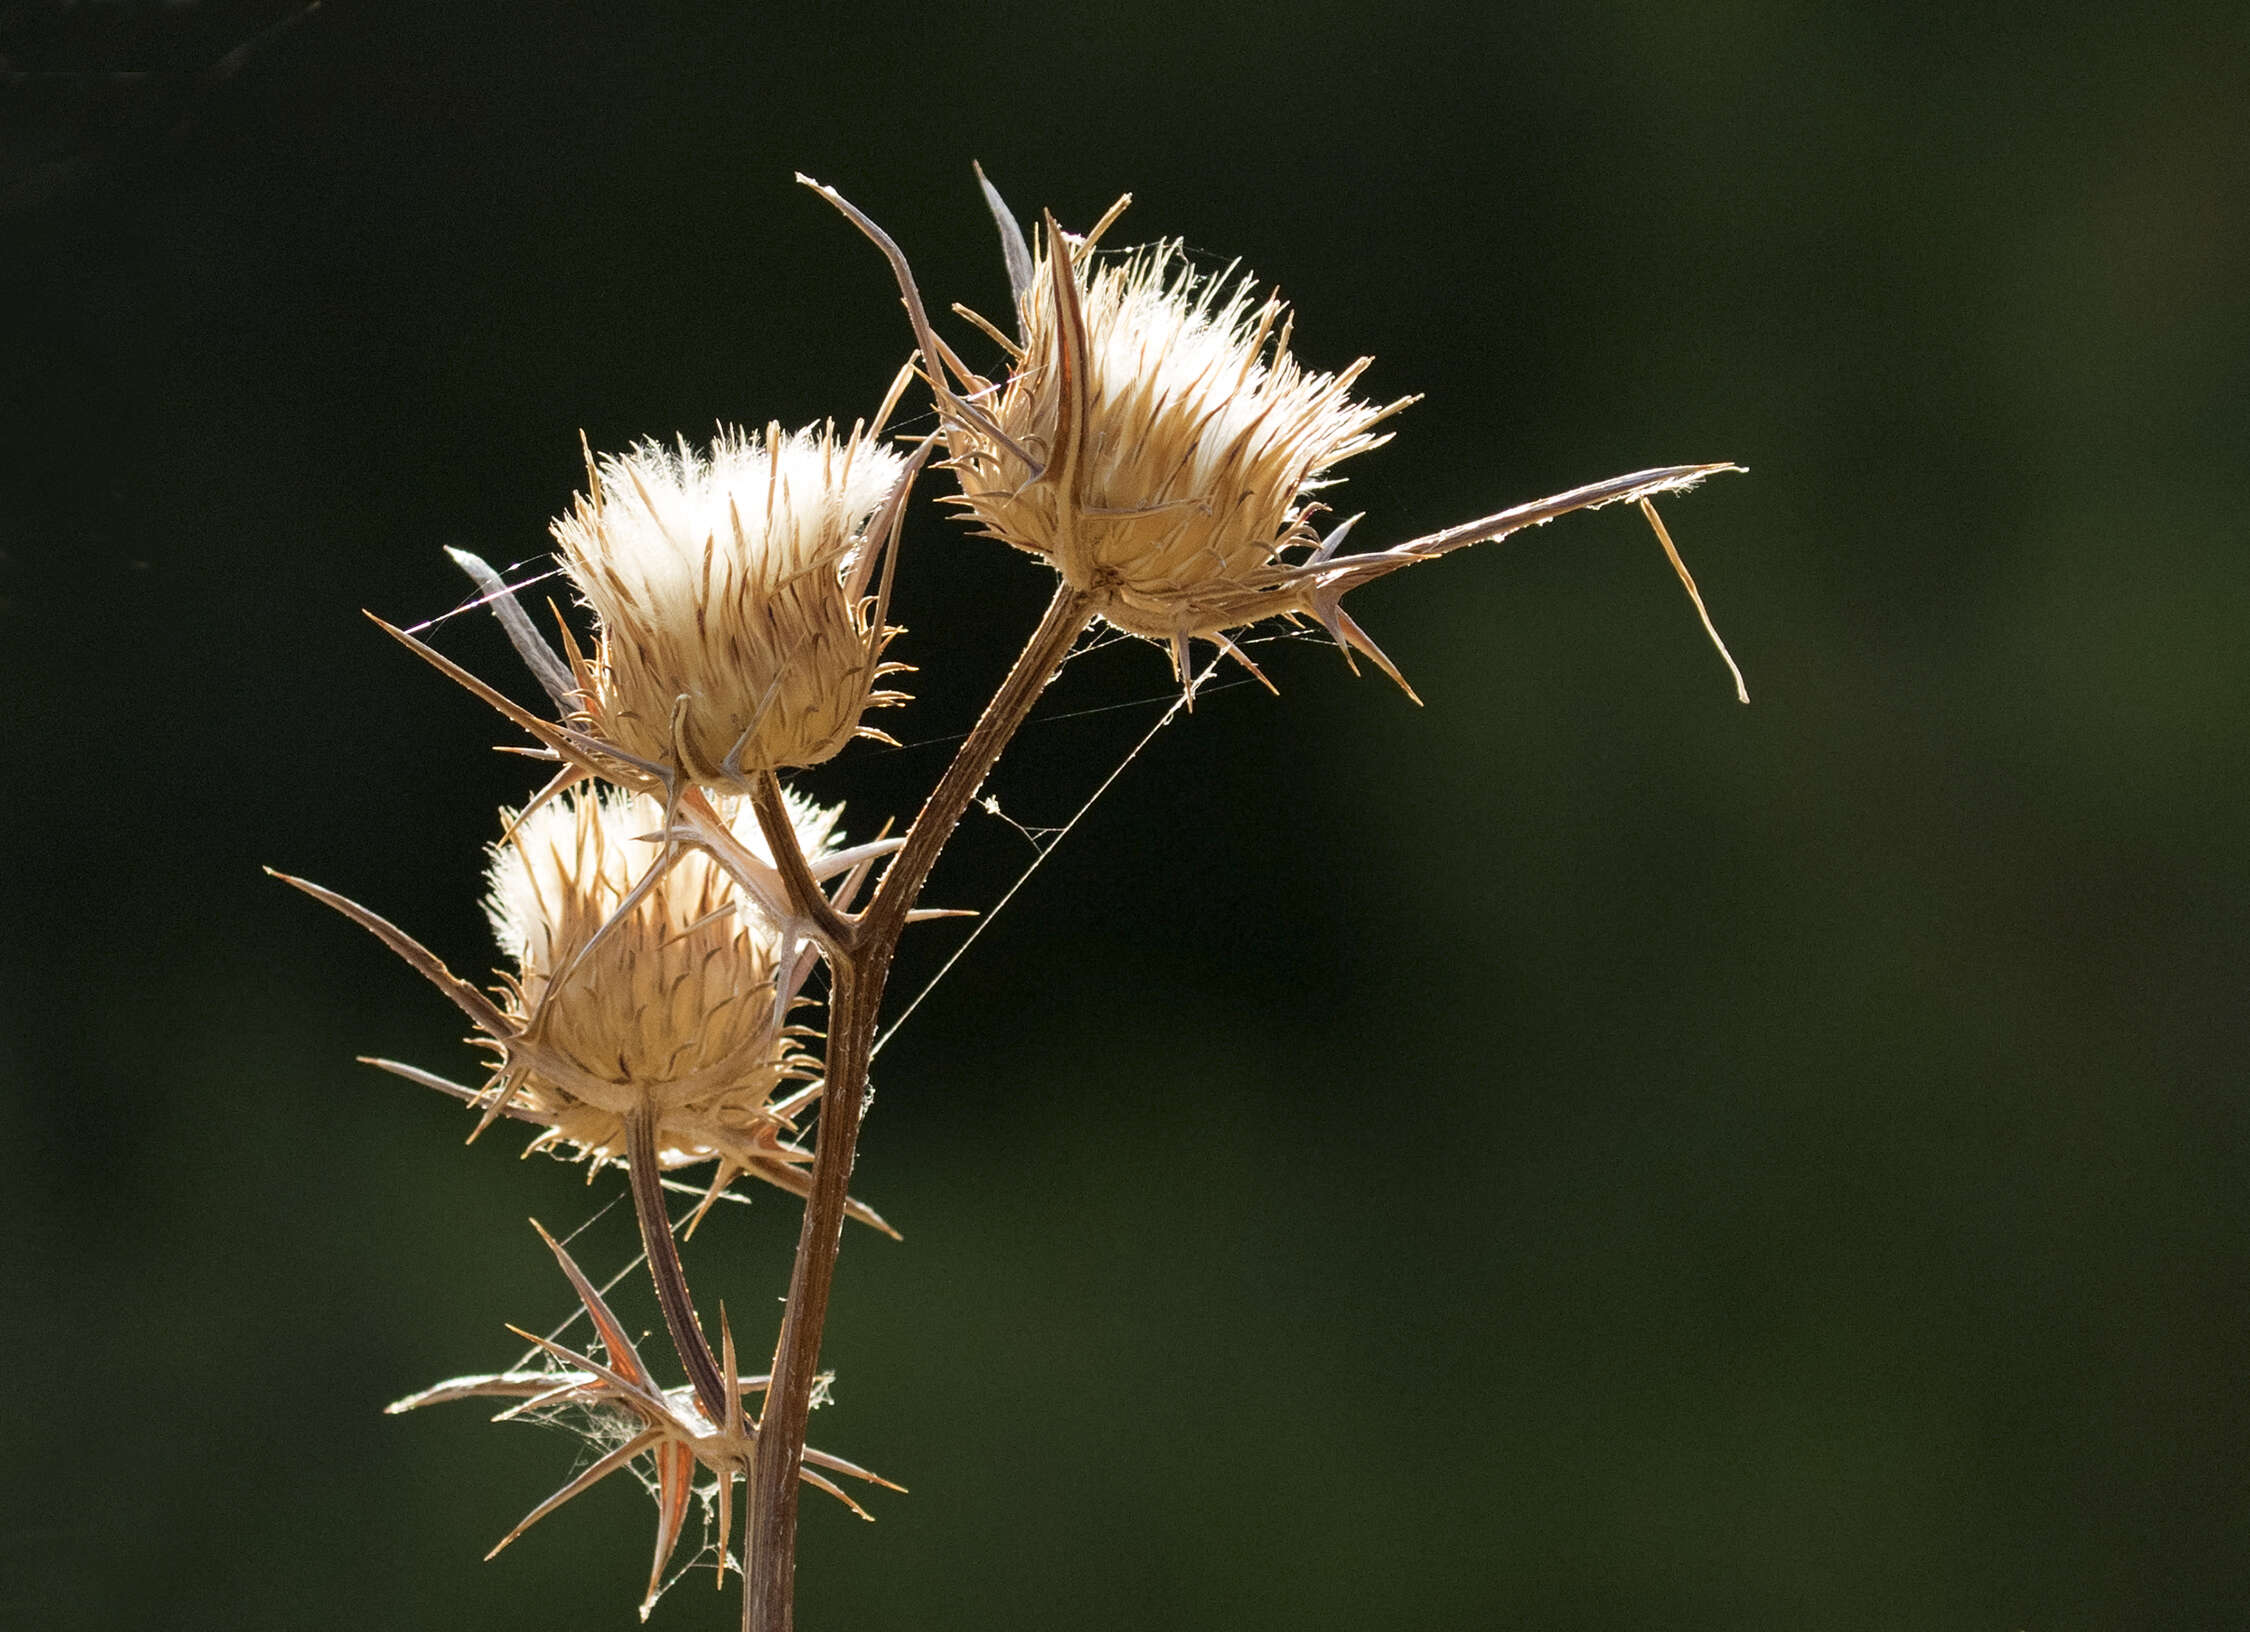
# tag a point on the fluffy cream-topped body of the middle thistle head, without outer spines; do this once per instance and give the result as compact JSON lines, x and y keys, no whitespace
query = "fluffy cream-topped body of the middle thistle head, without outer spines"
{"x":739,"y":629}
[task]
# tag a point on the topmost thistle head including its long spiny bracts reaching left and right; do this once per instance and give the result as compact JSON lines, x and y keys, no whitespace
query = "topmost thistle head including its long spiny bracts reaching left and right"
{"x":1160,"y":445}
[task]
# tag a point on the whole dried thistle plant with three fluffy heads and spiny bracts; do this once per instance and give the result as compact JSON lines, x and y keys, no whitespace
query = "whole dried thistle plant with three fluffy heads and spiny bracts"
{"x":665,"y":902}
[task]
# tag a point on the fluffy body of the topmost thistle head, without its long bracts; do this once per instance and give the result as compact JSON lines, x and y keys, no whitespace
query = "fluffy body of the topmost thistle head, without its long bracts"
{"x":1178,"y":440}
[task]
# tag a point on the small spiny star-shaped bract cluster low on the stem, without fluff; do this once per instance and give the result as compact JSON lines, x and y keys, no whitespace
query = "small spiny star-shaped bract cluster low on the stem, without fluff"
{"x":629,"y":1415}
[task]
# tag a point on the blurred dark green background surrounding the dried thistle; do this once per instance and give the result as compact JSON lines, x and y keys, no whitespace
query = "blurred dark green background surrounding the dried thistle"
{"x":1572,"y":1156}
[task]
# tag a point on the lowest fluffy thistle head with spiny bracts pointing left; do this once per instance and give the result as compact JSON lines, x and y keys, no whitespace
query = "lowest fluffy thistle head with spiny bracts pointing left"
{"x":645,"y":985}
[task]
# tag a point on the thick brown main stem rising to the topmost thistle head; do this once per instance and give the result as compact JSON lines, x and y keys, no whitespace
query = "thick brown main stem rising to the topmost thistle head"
{"x":854,"y":1005}
